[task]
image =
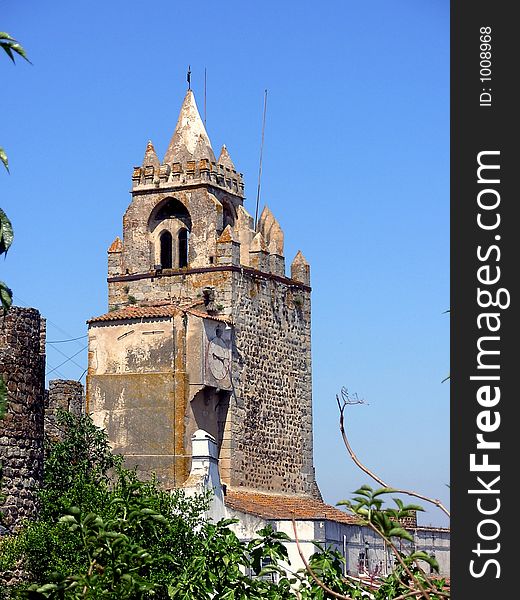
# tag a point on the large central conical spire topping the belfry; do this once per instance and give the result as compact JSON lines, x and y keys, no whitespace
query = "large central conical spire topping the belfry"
{"x":190,"y":140}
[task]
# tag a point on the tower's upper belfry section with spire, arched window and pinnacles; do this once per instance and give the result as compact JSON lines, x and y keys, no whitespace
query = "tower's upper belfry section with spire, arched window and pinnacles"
{"x":187,"y":216}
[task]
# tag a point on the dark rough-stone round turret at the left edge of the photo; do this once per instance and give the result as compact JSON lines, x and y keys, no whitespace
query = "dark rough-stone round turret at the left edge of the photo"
{"x":22,"y":365}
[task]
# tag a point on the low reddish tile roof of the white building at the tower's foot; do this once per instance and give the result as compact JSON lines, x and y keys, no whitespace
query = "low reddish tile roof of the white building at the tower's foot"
{"x":280,"y":507}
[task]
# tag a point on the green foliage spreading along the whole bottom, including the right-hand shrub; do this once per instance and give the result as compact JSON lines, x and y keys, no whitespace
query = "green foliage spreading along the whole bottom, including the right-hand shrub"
{"x":103,"y":533}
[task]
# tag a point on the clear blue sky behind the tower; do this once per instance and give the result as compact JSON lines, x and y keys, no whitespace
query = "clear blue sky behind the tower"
{"x":356,"y":169}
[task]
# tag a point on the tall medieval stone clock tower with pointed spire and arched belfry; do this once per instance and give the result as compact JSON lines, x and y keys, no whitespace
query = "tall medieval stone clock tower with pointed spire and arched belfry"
{"x":205,"y":330}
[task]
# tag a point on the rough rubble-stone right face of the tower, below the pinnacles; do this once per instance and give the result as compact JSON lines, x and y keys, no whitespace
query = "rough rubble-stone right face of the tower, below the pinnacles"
{"x":271,"y":429}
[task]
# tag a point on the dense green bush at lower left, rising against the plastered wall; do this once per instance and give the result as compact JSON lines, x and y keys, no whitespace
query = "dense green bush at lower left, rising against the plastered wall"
{"x":102,"y":532}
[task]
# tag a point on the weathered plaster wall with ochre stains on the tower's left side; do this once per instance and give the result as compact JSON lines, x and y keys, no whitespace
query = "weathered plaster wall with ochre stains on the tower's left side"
{"x":136,"y":390}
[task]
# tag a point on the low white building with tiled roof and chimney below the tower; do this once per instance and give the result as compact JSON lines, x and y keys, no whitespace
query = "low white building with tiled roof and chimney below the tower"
{"x":363,"y":550}
